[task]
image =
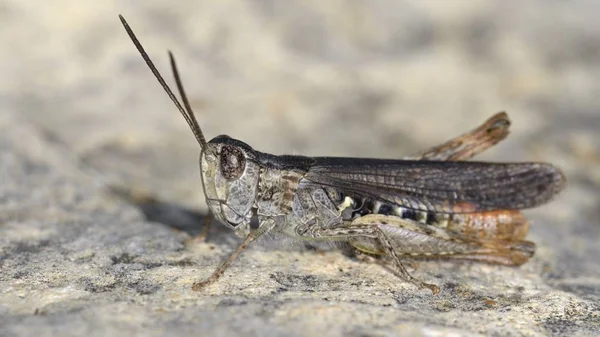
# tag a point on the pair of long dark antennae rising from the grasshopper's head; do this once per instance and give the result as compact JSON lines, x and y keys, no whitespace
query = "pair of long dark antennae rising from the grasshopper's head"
{"x":187,"y":113}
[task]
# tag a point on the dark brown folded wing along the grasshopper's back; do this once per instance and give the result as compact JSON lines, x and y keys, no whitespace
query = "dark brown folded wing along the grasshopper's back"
{"x":441,"y":186}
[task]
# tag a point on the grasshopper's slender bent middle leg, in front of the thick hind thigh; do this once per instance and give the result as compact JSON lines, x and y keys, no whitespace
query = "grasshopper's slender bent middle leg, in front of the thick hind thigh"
{"x":371,"y":231}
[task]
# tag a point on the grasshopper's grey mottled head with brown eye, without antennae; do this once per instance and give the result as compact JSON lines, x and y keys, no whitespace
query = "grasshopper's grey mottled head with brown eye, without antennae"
{"x":230,"y":176}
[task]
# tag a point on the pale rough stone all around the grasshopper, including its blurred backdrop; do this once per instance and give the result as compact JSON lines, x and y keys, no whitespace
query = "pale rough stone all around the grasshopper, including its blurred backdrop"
{"x":79,"y":111}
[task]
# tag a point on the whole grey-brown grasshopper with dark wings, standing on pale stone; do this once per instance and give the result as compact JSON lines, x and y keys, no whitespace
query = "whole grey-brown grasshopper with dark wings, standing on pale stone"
{"x":432,"y":205}
